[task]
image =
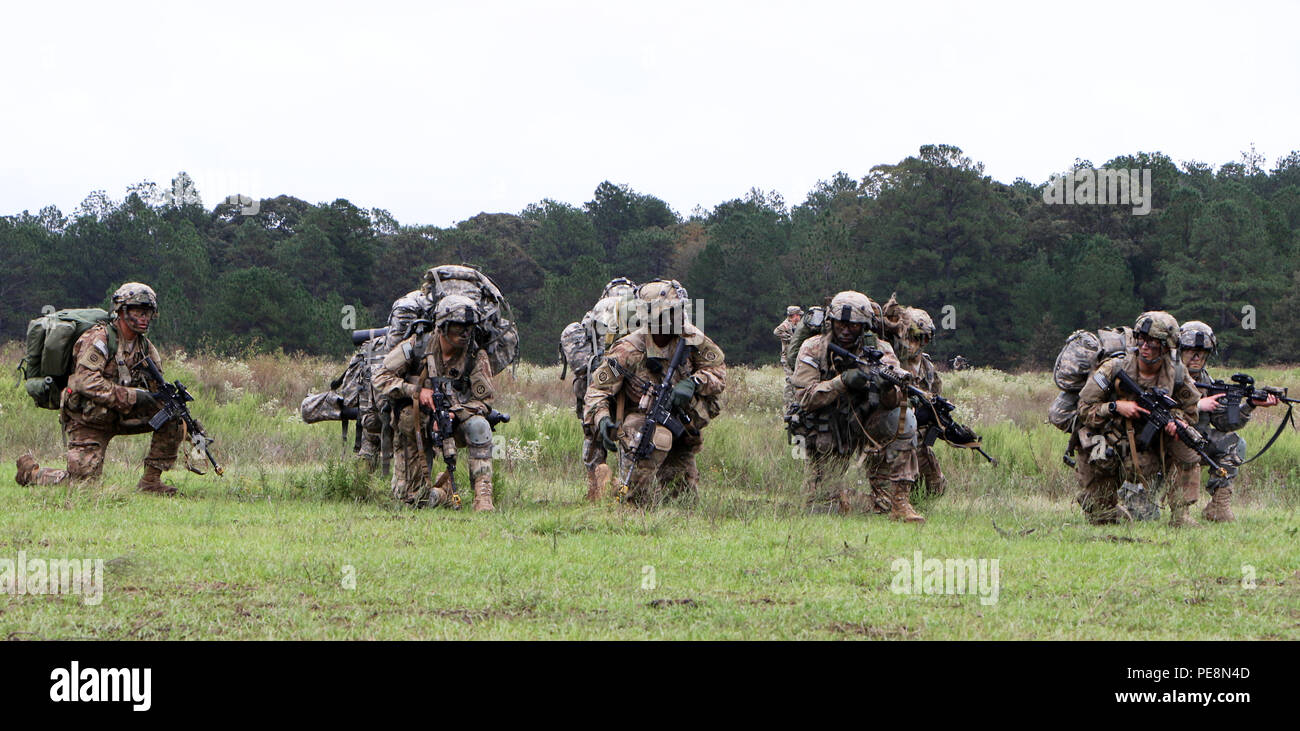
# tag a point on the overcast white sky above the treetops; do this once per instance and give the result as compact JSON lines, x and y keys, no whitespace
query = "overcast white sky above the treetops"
{"x":437,"y":111}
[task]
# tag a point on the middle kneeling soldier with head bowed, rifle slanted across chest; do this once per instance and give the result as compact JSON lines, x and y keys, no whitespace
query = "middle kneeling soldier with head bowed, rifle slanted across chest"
{"x":616,"y":406}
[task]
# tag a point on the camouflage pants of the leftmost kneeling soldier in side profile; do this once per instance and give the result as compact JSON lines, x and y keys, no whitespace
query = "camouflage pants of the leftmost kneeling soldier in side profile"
{"x":92,"y":429}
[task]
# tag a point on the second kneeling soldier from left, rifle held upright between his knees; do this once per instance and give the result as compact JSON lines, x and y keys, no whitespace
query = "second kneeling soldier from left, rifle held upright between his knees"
{"x":430,"y":360}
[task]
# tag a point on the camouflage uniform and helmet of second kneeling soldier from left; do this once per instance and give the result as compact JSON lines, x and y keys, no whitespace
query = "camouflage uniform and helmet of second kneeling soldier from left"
{"x":414,"y":365}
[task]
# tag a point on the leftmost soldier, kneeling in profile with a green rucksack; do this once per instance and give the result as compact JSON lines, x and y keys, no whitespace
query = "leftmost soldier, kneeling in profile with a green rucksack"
{"x":109,"y":396}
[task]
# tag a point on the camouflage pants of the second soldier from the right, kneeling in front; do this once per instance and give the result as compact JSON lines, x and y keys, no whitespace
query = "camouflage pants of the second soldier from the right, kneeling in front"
{"x":1100,"y":481}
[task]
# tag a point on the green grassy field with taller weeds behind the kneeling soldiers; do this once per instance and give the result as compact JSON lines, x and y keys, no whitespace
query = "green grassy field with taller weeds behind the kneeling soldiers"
{"x":296,"y":543}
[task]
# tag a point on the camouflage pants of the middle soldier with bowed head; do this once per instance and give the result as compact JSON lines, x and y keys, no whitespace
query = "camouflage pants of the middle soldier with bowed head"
{"x":669,"y":472}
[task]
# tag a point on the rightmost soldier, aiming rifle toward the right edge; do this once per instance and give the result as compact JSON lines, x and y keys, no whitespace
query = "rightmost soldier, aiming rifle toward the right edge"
{"x":1197,"y":343}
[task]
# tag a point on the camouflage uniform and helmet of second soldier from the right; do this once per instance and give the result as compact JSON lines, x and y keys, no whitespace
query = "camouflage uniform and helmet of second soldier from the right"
{"x":1104,"y":439}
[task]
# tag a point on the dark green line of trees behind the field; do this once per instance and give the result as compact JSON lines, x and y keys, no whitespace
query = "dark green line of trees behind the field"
{"x":1006,"y":275}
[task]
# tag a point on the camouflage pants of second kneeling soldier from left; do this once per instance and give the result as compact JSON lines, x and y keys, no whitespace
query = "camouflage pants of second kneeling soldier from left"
{"x":411,"y":473}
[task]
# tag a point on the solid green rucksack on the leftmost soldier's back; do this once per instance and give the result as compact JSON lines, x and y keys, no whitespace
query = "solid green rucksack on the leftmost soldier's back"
{"x":49,"y":360}
